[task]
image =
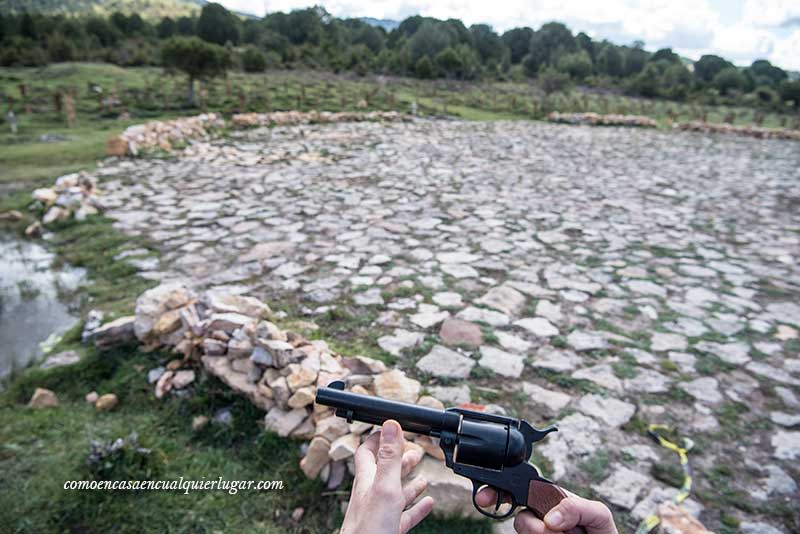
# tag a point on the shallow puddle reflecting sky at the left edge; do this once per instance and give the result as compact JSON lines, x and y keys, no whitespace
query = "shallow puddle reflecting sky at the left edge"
{"x":31,"y":301}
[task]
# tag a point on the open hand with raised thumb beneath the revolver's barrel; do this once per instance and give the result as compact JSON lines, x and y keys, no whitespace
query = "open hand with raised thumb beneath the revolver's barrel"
{"x":379,"y":502}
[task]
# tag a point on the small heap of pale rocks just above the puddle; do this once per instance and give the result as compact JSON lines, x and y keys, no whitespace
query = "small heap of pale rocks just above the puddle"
{"x":73,"y":195}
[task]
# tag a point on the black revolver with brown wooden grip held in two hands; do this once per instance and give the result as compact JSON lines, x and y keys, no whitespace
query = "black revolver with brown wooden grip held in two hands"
{"x":490,"y":450}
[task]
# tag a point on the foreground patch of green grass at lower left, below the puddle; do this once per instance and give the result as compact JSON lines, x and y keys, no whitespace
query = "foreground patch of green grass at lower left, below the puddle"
{"x":41,"y":449}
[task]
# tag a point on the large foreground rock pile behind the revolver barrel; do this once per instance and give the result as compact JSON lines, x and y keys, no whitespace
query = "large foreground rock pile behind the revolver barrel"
{"x":279,"y":372}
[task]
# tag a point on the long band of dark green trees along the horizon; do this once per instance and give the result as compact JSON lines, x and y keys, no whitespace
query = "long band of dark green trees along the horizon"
{"x":217,"y":40}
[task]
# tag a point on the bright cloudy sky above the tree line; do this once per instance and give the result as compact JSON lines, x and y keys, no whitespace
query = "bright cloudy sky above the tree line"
{"x":741,"y":30}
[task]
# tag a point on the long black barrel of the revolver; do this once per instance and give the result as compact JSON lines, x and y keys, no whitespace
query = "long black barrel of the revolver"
{"x":375,"y":410}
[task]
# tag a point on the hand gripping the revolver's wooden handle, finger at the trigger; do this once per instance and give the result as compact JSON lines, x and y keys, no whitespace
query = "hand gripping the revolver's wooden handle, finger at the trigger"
{"x":574,"y":511}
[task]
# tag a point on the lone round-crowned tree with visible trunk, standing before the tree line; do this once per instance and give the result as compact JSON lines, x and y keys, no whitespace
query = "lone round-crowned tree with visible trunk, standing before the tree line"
{"x":197,"y":58}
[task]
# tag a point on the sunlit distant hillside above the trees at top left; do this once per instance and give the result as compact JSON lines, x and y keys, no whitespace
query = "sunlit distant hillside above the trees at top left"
{"x":149,"y":9}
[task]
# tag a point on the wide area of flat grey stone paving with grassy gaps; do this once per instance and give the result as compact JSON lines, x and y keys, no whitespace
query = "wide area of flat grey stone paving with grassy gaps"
{"x":618,"y":276}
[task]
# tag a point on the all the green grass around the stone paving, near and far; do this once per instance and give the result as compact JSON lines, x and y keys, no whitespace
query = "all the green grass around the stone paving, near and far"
{"x":39,"y":450}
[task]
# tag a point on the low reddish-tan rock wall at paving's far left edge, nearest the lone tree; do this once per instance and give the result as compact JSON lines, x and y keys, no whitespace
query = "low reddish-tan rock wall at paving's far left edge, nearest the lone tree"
{"x":163,"y":134}
